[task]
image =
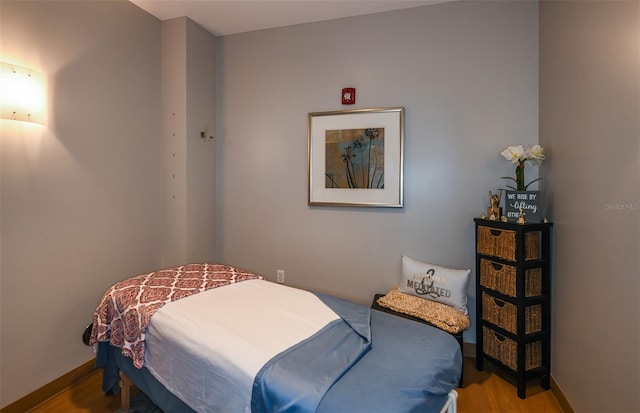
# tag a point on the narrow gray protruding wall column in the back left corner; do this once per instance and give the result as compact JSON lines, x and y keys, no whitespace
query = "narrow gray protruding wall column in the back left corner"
{"x":188,"y":174}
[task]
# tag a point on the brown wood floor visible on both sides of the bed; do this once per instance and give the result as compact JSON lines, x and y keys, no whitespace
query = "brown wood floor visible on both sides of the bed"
{"x":482,"y":392}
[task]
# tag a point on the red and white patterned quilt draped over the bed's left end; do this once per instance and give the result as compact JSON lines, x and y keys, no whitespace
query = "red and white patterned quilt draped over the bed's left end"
{"x":125,"y":310}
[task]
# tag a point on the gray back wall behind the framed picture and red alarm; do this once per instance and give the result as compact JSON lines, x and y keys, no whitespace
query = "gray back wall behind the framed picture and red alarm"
{"x":467,"y":75}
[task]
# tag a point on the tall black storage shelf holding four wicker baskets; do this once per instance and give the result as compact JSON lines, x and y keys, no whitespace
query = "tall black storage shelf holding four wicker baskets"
{"x":496,"y":244}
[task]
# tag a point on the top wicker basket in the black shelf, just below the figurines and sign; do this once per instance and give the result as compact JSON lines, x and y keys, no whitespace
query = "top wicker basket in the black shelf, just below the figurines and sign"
{"x":501,"y":243}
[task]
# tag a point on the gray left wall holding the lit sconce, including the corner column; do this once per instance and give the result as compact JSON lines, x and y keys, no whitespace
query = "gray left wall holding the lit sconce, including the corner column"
{"x":85,"y":200}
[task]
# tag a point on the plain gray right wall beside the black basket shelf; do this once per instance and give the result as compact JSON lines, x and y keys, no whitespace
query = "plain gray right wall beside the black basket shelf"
{"x":590,"y":124}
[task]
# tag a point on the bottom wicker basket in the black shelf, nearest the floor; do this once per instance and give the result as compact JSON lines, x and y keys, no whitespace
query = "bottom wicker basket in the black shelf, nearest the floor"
{"x":505,"y":350}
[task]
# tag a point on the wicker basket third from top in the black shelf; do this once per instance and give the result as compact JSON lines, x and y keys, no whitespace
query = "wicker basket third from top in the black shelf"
{"x":505,"y":315}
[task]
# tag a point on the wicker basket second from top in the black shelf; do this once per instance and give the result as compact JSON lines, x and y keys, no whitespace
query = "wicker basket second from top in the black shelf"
{"x":502,"y":278}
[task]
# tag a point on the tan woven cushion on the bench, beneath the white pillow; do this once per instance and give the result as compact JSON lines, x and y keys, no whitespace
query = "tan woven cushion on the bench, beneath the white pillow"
{"x":440,"y":315}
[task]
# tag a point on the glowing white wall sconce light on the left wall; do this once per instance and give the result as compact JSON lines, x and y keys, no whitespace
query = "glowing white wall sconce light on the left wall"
{"x":22,"y":94}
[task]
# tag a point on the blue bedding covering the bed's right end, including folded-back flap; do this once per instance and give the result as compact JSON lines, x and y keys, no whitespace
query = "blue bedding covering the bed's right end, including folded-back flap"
{"x":341,"y":369}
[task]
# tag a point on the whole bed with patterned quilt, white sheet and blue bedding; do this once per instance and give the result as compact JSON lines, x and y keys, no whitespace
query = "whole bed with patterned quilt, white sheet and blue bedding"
{"x":213,"y":338}
